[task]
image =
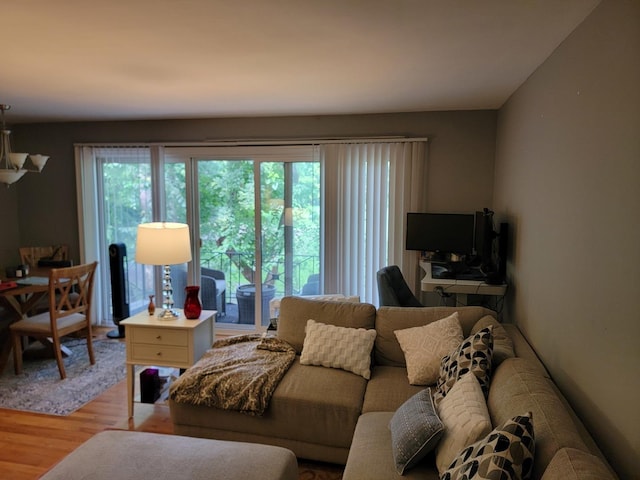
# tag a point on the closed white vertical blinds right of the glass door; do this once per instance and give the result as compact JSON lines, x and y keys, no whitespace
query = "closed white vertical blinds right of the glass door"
{"x":369,"y":188}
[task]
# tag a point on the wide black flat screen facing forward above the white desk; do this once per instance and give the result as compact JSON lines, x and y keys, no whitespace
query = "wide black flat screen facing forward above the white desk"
{"x":440,"y":232}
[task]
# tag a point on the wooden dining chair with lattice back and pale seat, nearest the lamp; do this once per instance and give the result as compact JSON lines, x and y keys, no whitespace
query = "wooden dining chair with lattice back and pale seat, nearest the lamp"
{"x":70,"y":298}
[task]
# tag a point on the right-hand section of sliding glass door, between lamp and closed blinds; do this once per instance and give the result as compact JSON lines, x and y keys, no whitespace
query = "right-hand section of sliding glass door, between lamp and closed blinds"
{"x":257,"y":223}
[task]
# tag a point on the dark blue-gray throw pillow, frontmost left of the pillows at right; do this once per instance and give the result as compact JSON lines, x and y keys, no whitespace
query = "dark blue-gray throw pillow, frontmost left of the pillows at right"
{"x":415,"y":430}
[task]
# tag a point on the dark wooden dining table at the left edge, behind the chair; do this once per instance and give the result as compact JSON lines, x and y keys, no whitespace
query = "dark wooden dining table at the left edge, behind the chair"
{"x":19,"y":299}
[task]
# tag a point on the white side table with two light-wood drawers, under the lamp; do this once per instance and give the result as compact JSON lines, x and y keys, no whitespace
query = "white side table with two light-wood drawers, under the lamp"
{"x":177,"y":343}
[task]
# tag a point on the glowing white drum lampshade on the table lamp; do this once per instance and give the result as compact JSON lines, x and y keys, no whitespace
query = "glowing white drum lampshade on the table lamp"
{"x":163,"y":243}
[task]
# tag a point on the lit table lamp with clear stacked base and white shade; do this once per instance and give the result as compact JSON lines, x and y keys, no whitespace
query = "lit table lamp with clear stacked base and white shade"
{"x":164,"y":243}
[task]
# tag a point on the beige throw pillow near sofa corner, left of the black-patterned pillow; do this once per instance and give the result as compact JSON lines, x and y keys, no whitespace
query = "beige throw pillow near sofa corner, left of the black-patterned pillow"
{"x":425,"y":346}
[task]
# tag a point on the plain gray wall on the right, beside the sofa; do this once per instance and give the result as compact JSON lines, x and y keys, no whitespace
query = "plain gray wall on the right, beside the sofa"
{"x":568,"y":181}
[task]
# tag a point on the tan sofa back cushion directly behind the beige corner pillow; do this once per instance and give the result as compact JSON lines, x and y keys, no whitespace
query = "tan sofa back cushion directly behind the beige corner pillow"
{"x":387,"y":350}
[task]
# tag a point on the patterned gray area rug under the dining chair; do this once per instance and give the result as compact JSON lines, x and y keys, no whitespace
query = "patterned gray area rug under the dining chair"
{"x":39,"y":388}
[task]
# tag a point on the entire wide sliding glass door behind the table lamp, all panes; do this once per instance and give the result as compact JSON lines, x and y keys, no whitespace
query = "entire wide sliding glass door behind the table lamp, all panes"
{"x":254,"y":216}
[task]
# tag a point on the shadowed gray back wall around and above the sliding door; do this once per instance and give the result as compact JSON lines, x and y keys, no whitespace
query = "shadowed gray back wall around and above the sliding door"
{"x":41,"y":209}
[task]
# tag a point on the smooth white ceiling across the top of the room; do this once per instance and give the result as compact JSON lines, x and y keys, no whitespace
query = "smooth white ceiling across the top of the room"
{"x":68,"y":60}
